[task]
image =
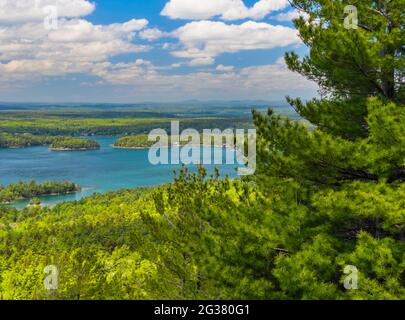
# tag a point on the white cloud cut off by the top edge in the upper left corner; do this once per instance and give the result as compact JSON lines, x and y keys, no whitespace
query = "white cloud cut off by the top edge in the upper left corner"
{"x":17,"y":11}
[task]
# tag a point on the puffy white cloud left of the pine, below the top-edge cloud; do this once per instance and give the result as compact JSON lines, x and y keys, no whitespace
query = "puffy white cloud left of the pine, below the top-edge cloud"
{"x":204,"y":40}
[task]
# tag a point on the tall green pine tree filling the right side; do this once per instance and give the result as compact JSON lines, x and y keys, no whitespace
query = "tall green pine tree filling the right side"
{"x":349,"y":165}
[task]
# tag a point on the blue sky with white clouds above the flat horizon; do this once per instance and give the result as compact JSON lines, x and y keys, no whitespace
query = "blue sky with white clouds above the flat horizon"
{"x":156,"y":50}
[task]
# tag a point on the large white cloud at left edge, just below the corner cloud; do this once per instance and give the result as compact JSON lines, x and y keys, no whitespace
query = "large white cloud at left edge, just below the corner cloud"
{"x":74,"y":41}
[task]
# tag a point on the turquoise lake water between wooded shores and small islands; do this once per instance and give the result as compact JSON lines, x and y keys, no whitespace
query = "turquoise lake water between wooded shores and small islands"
{"x":99,"y":171}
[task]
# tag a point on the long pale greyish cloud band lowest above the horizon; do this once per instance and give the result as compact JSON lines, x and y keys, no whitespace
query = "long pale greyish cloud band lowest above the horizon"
{"x":141,"y":80}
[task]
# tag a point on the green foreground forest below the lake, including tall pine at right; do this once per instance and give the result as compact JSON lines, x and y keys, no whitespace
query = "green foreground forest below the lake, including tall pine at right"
{"x":321,"y":200}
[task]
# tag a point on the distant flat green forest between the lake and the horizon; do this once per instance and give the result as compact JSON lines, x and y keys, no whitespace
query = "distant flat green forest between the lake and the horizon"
{"x":21,"y":129}
